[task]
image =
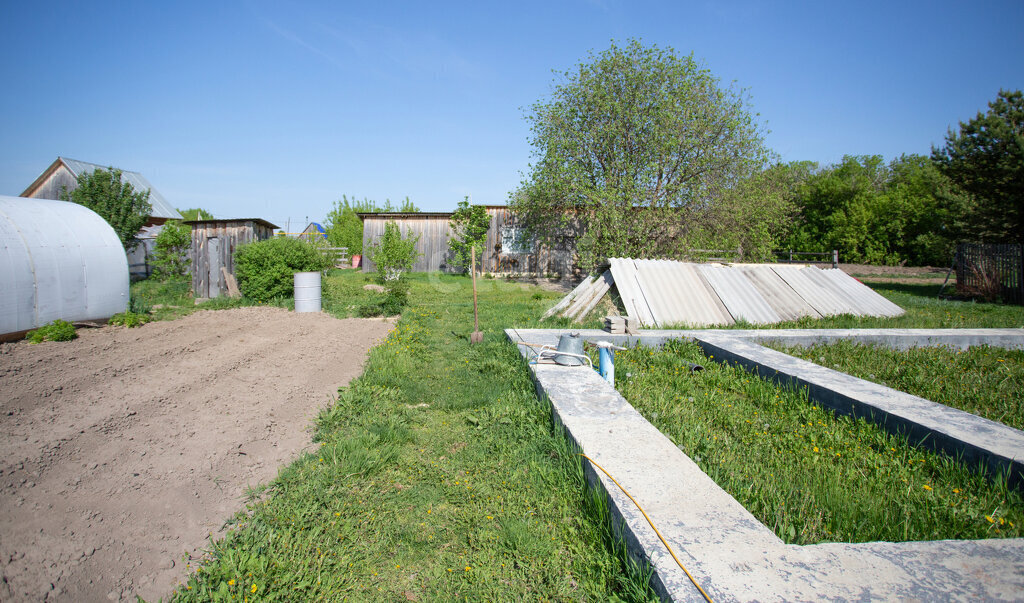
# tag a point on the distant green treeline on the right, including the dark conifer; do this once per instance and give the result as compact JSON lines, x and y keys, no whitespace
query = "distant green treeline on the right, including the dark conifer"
{"x":912,"y":210}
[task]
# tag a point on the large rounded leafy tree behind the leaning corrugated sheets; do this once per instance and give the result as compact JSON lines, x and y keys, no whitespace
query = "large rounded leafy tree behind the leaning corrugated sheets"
{"x":633,"y":148}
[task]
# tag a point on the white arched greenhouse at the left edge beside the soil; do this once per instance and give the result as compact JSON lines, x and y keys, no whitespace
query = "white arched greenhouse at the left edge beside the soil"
{"x":58,"y":261}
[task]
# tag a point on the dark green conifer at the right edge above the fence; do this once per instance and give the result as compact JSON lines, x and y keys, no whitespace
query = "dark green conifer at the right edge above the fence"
{"x":987,"y":160}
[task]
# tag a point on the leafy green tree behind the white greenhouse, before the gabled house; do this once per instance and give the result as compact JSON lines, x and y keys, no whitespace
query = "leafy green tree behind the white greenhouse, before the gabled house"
{"x":117,"y":202}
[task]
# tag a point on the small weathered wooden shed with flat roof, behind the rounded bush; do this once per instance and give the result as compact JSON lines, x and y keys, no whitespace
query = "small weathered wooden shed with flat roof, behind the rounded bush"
{"x":214,"y":246}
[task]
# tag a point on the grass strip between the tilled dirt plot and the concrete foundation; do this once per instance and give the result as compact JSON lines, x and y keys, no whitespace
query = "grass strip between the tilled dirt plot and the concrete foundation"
{"x":439,"y":478}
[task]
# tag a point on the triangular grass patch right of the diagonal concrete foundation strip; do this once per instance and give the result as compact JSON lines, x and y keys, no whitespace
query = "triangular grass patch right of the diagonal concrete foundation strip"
{"x":985,"y":381}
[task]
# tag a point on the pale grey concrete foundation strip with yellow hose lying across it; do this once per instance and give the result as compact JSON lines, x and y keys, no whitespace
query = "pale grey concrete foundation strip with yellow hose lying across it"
{"x":728,"y":550}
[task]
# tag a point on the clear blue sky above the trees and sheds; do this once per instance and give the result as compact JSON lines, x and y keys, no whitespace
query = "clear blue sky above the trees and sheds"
{"x":276,"y":110}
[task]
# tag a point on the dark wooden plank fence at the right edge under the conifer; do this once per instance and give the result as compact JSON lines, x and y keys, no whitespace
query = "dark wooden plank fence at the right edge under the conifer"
{"x":991,"y":272}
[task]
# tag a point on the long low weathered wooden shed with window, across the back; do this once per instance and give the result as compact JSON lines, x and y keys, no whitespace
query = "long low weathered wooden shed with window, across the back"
{"x":506,"y":251}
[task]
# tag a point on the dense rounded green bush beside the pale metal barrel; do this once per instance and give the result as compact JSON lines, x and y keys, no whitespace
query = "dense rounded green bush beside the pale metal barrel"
{"x":266,"y":270}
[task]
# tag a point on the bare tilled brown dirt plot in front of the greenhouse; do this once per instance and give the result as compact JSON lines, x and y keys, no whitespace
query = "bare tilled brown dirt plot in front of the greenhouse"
{"x":123,"y":451}
